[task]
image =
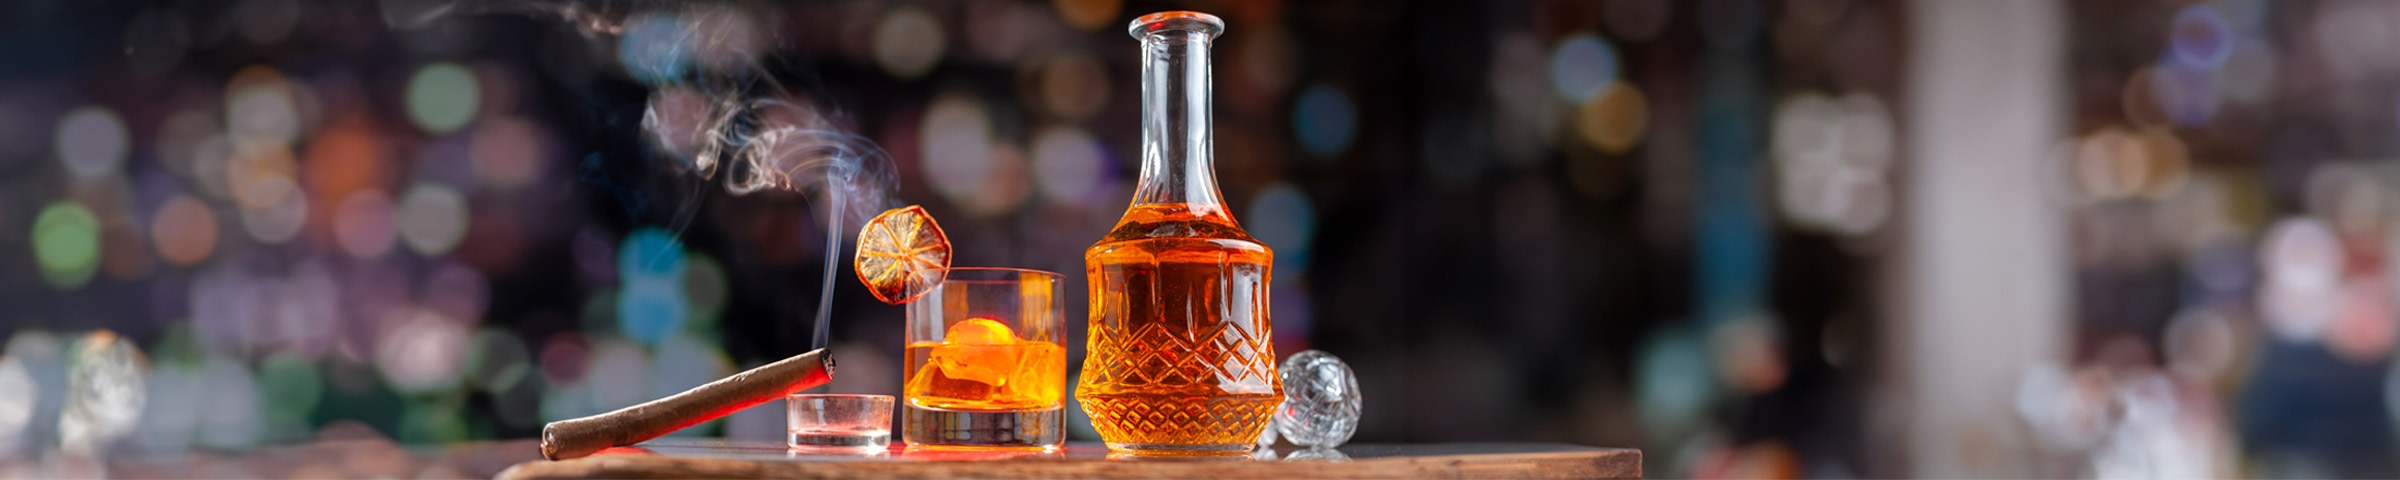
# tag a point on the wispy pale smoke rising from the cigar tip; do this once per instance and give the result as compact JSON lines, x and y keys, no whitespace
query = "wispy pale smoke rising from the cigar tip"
{"x":716,"y":112}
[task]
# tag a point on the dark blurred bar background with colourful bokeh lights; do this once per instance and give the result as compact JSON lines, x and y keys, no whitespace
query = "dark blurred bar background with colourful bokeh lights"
{"x":1756,"y":239}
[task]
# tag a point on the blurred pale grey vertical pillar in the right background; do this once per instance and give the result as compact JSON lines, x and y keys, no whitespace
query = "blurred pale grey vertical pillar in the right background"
{"x":1984,"y":280}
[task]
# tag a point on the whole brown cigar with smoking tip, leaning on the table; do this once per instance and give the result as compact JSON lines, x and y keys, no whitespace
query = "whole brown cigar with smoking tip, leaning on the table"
{"x":700,"y":404}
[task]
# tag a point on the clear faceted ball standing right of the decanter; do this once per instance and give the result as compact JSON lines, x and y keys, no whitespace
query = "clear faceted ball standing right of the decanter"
{"x":1321,"y":400}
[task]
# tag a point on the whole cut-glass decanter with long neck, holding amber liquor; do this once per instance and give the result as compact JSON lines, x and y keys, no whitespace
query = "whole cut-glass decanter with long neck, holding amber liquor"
{"x":1180,"y":359}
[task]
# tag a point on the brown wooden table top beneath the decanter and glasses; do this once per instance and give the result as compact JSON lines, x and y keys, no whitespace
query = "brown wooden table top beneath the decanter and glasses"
{"x":772,"y":460}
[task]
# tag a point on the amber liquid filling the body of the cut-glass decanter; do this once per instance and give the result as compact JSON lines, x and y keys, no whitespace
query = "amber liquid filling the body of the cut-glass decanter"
{"x":1180,"y":356}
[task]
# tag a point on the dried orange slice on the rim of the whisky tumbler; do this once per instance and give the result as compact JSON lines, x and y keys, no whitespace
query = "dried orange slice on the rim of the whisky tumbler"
{"x":904,"y":256}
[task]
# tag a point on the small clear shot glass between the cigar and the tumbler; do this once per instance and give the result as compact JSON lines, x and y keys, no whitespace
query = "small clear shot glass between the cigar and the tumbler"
{"x":839,"y":424}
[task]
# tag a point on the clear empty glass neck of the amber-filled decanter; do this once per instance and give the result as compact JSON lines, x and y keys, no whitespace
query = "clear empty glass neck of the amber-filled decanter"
{"x":1180,"y":162}
